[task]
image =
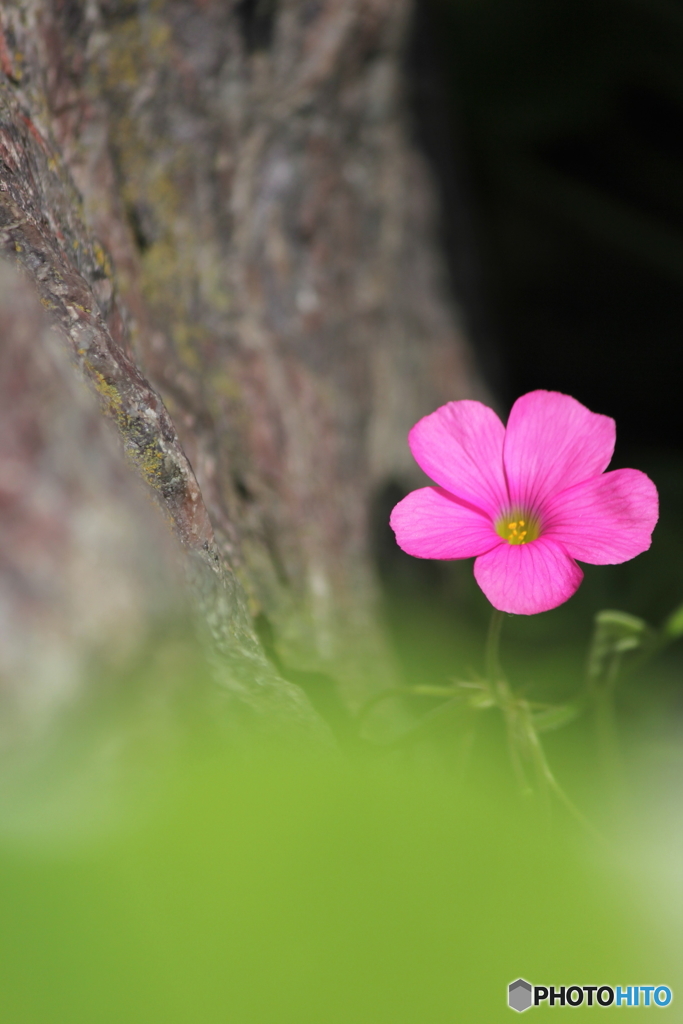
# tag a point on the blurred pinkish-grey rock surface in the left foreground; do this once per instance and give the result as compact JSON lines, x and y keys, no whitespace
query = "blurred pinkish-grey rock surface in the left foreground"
{"x":82,"y":561}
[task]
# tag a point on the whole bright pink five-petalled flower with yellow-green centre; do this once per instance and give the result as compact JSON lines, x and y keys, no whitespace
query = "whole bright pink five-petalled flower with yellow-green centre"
{"x":526,"y":501}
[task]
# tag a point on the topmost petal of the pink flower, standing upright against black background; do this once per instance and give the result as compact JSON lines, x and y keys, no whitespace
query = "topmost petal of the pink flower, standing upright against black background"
{"x":552,"y":442}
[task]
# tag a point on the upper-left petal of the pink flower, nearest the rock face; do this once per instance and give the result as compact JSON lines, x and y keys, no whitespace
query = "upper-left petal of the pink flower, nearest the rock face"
{"x":460,"y":447}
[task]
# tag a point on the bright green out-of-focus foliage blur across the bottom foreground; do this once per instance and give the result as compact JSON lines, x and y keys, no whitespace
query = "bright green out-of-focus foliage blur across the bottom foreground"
{"x":283,"y":888}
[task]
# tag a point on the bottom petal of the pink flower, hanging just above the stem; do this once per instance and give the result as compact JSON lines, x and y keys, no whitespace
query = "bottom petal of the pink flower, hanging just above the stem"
{"x":527,"y":579}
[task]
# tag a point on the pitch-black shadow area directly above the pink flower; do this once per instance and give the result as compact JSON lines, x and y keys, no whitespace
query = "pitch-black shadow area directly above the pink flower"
{"x":557,"y":134}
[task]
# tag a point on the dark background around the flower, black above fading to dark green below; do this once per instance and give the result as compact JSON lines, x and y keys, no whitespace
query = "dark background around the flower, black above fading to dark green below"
{"x":556,"y":135}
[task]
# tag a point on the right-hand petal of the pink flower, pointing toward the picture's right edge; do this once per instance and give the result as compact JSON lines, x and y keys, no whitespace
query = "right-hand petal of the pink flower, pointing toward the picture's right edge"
{"x":607,"y":521}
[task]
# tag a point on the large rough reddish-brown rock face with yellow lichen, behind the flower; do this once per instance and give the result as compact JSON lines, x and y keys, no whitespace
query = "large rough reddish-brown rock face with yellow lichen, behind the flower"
{"x":222,"y":198}
